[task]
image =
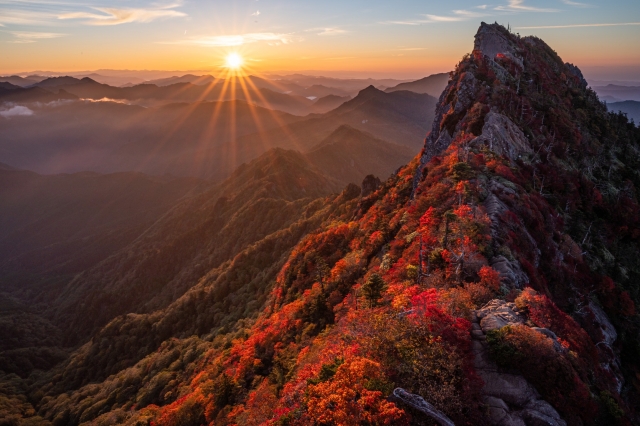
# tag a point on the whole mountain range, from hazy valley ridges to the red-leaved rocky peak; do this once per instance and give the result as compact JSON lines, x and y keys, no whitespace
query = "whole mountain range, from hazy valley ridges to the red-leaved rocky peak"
{"x":489,"y":278}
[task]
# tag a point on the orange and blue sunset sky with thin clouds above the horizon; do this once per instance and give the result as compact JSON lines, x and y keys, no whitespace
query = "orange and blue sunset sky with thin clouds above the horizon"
{"x":391,"y":38}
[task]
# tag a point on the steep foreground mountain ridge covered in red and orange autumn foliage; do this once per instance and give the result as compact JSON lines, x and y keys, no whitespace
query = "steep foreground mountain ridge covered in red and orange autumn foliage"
{"x":493,"y":280}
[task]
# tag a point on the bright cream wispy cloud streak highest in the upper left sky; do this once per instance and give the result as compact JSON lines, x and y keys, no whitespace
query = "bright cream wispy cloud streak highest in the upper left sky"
{"x":116,"y":16}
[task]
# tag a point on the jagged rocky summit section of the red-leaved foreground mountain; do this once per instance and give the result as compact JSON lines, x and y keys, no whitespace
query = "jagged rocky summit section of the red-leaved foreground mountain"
{"x":501,"y":91}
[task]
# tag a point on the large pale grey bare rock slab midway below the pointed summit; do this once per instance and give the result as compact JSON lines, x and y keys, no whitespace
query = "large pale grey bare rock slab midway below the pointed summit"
{"x":503,"y":137}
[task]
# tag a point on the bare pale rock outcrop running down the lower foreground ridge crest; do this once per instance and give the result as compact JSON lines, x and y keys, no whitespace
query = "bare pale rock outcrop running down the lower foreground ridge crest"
{"x":510,"y":398}
